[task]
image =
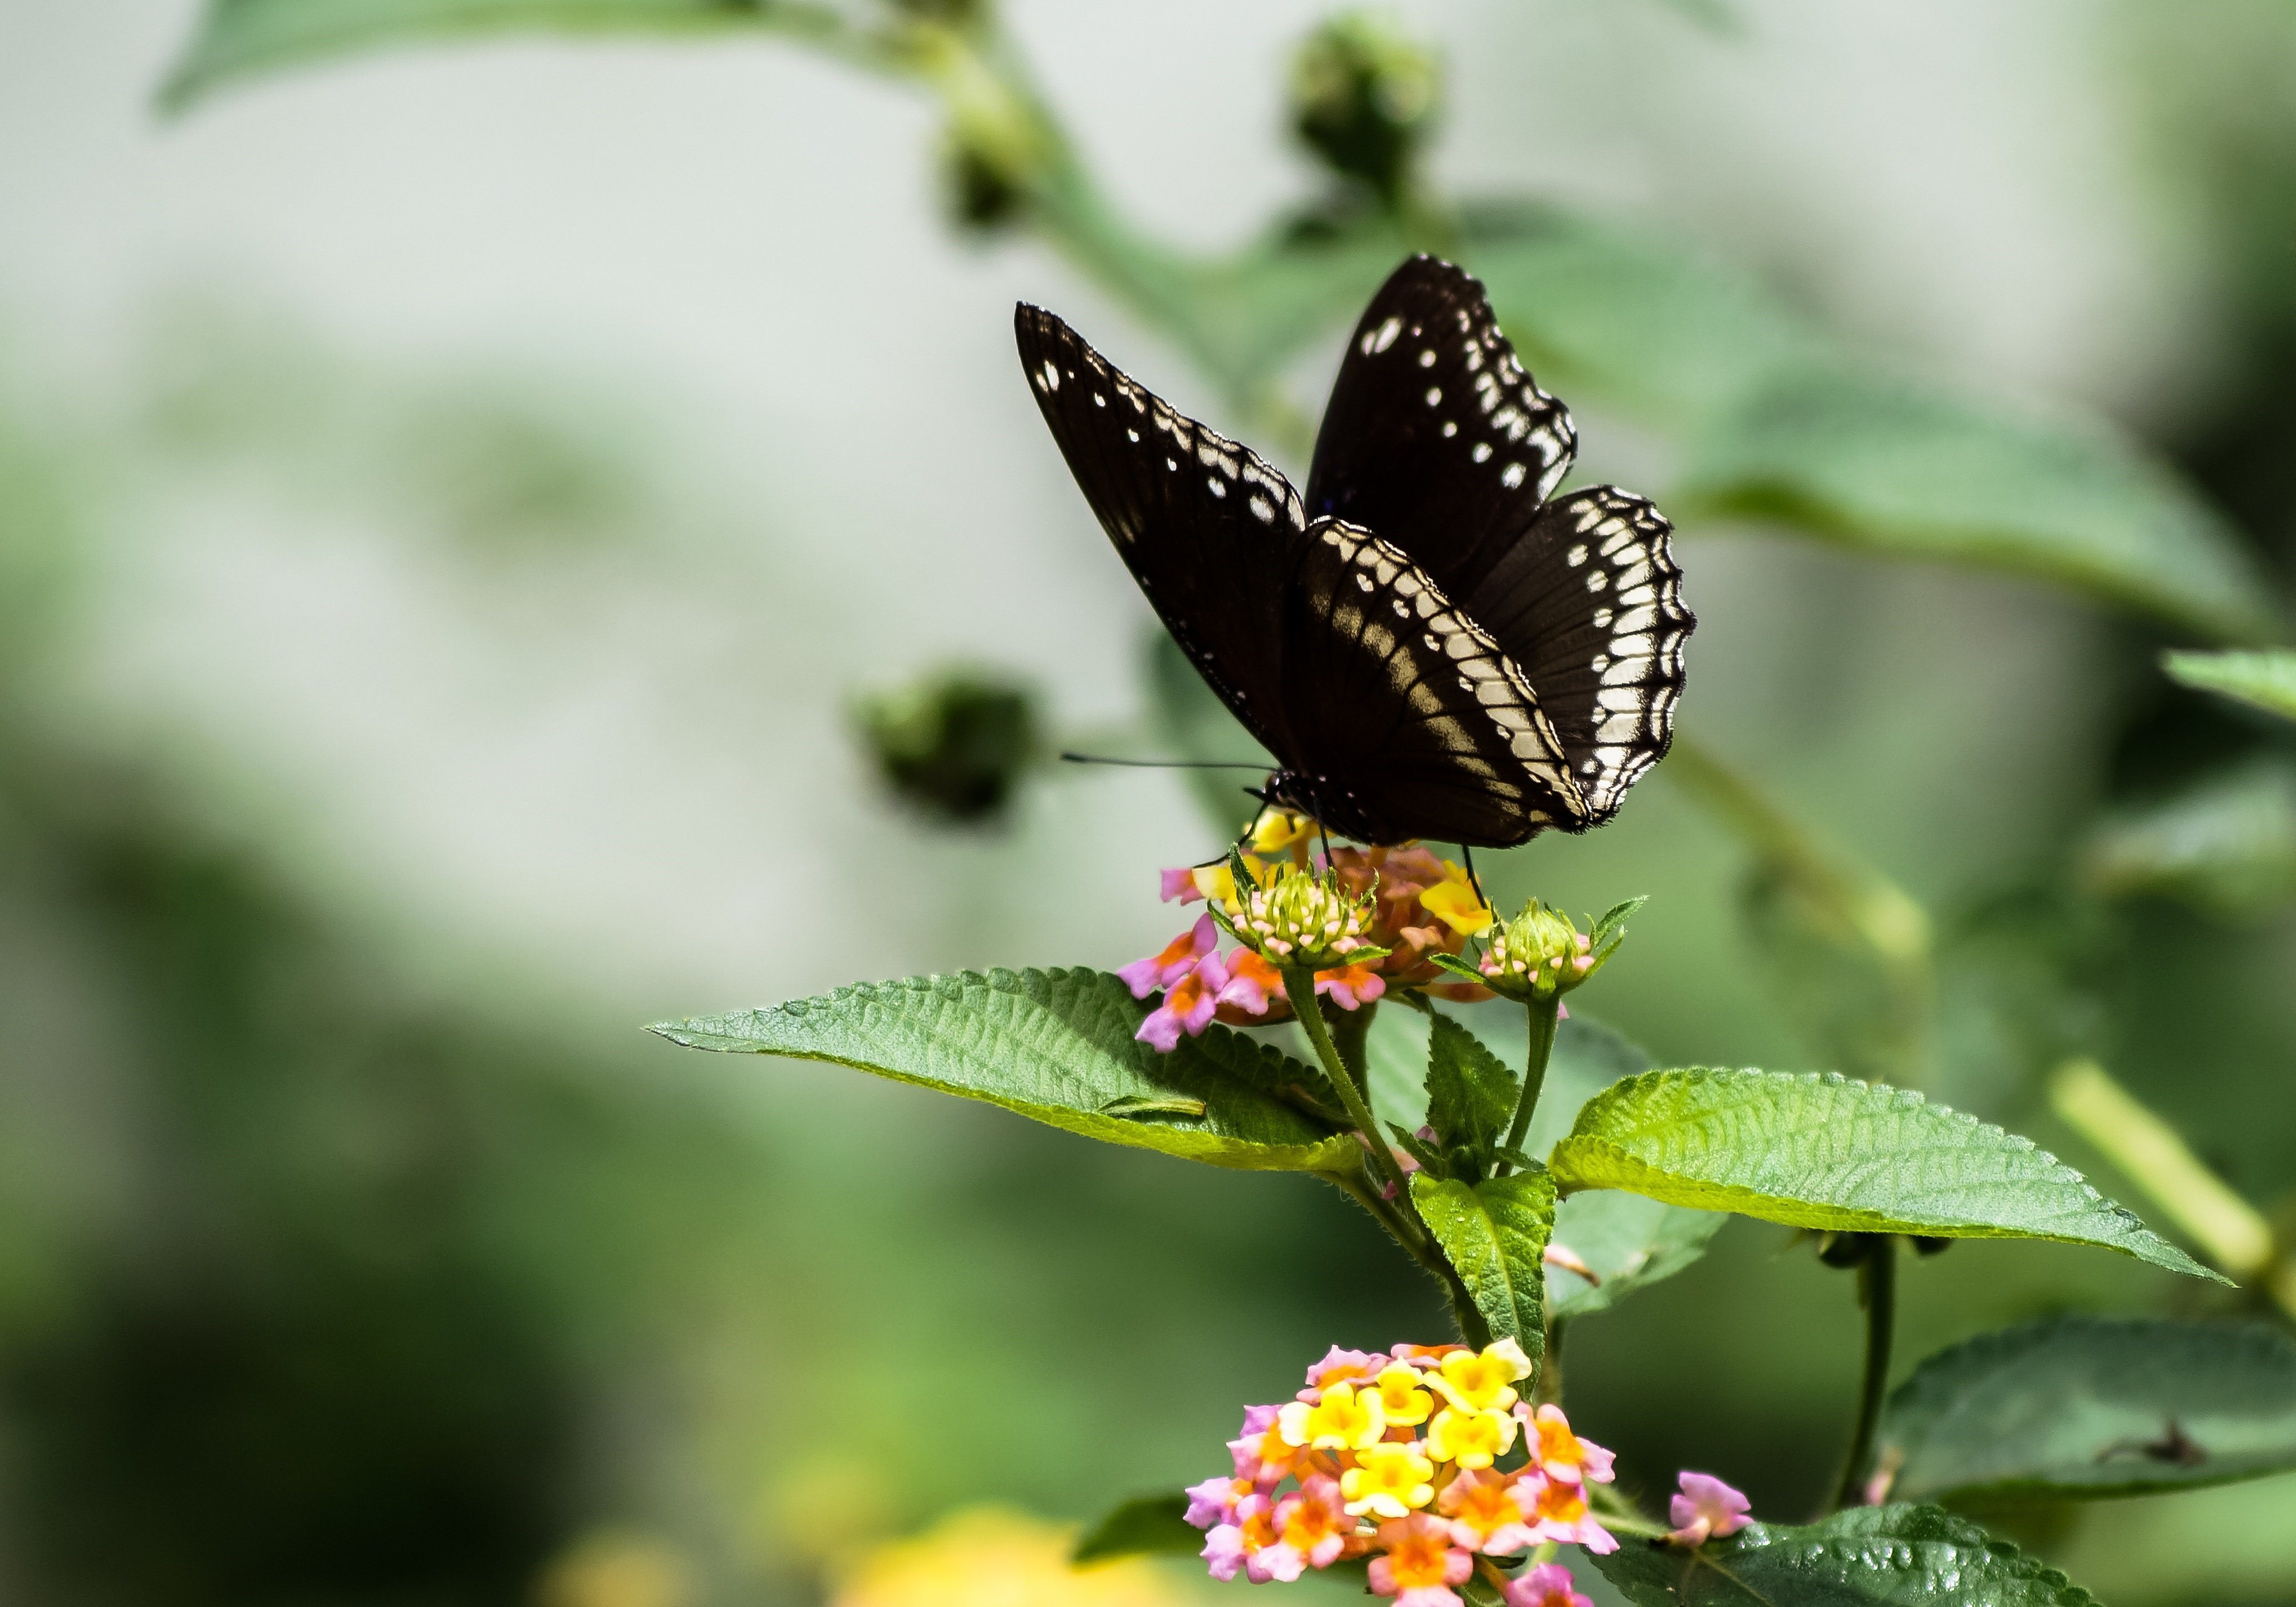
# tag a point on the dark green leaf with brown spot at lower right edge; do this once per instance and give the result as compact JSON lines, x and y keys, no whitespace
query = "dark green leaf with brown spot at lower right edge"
{"x":2095,"y":1406}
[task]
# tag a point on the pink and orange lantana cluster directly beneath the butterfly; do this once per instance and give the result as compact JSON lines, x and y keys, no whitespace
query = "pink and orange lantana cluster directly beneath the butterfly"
{"x":1397,"y":906}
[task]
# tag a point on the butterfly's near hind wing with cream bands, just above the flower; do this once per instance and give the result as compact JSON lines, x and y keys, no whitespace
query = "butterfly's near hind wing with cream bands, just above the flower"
{"x":1411,"y":720}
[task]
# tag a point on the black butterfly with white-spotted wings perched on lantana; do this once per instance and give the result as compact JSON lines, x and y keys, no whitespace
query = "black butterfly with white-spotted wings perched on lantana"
{"x":1427,"y":644}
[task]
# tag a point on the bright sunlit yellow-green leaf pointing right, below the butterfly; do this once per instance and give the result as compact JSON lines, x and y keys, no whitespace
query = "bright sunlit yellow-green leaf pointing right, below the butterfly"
{"x":1822,"y":1151}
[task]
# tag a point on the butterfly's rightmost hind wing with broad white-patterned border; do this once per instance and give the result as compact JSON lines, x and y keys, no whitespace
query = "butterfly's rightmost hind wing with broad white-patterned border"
{"x":1590,"y":603}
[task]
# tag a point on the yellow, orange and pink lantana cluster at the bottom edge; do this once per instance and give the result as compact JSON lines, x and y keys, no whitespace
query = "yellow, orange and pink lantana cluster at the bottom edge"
{"x":1422,"y":1461}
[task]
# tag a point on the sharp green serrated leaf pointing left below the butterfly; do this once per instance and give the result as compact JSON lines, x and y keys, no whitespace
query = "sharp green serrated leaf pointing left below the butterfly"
{"x":1055,"y":1046}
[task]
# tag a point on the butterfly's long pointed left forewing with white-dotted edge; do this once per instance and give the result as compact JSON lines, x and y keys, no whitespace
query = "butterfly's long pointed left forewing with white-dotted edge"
{"x":1209,"y":529}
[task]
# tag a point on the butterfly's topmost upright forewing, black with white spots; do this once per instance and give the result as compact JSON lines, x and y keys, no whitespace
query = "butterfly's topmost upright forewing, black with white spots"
{"x":1436,"y":437}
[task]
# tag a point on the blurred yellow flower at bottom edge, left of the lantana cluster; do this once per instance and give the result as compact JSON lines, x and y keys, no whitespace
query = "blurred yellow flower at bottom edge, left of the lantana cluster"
{"x":995,"y":1558}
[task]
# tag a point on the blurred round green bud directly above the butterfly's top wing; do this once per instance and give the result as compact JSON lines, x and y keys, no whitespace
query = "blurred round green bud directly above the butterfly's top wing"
{"x":1365,"y":100}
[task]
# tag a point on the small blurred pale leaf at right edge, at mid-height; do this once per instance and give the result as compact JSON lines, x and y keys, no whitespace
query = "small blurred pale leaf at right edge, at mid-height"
{"x":2224,"y":844}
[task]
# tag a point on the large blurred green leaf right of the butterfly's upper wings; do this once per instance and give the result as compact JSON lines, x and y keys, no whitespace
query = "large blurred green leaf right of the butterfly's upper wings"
{"x":1909,"y":469}
